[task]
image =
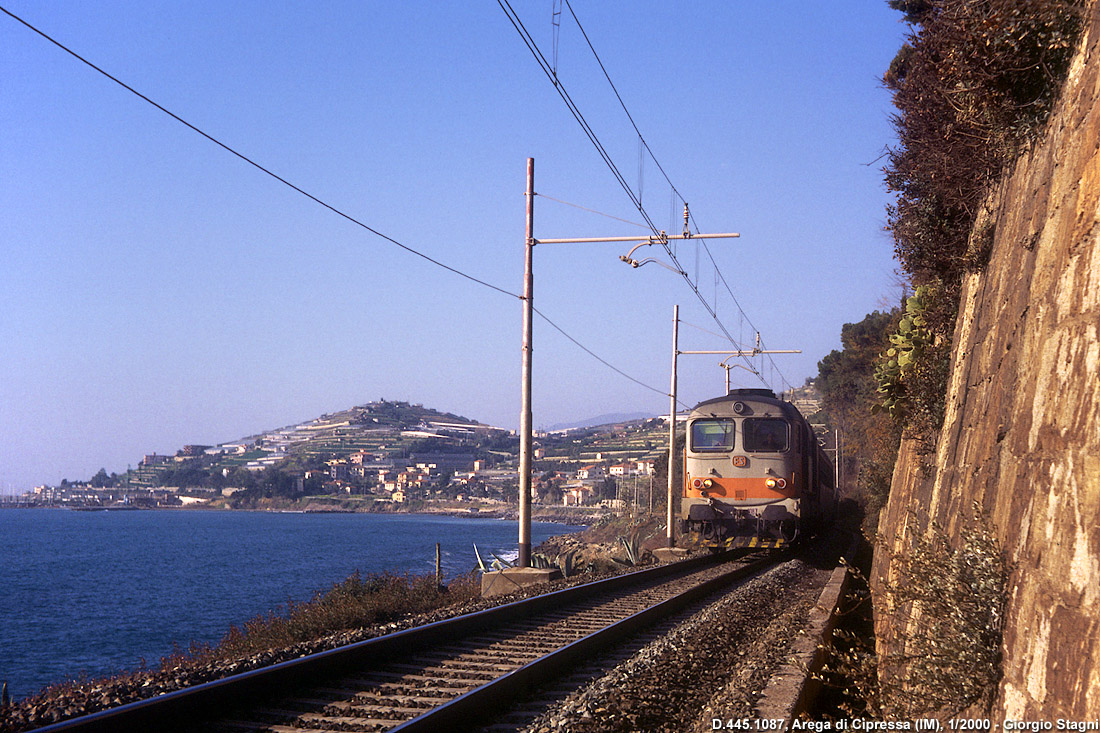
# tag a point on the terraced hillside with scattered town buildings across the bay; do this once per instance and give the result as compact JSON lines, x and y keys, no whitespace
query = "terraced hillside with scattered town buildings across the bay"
{"x":390,"y":456}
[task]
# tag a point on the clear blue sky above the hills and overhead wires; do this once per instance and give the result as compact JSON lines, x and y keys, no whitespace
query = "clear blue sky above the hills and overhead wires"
{"x":157,"y":291}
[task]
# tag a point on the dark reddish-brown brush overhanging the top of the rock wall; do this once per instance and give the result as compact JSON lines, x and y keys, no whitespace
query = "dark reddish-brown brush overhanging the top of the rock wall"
{"x":974,"y":86}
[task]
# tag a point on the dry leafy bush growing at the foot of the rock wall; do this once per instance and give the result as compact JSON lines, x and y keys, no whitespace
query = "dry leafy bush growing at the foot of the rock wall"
{"x":945,"y":608}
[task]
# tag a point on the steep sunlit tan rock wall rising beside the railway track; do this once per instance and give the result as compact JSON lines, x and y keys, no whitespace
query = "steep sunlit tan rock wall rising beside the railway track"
{"x":1022,"y":430}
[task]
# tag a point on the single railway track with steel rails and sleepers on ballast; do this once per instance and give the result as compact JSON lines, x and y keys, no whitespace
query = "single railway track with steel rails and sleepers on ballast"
{"x":444,"y":676}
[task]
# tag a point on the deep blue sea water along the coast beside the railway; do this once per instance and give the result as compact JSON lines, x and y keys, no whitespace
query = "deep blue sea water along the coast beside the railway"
{"x":91,"y":594}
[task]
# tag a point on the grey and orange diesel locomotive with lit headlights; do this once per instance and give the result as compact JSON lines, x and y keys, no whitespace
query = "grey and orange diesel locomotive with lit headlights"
{"x":755,"y":475}
